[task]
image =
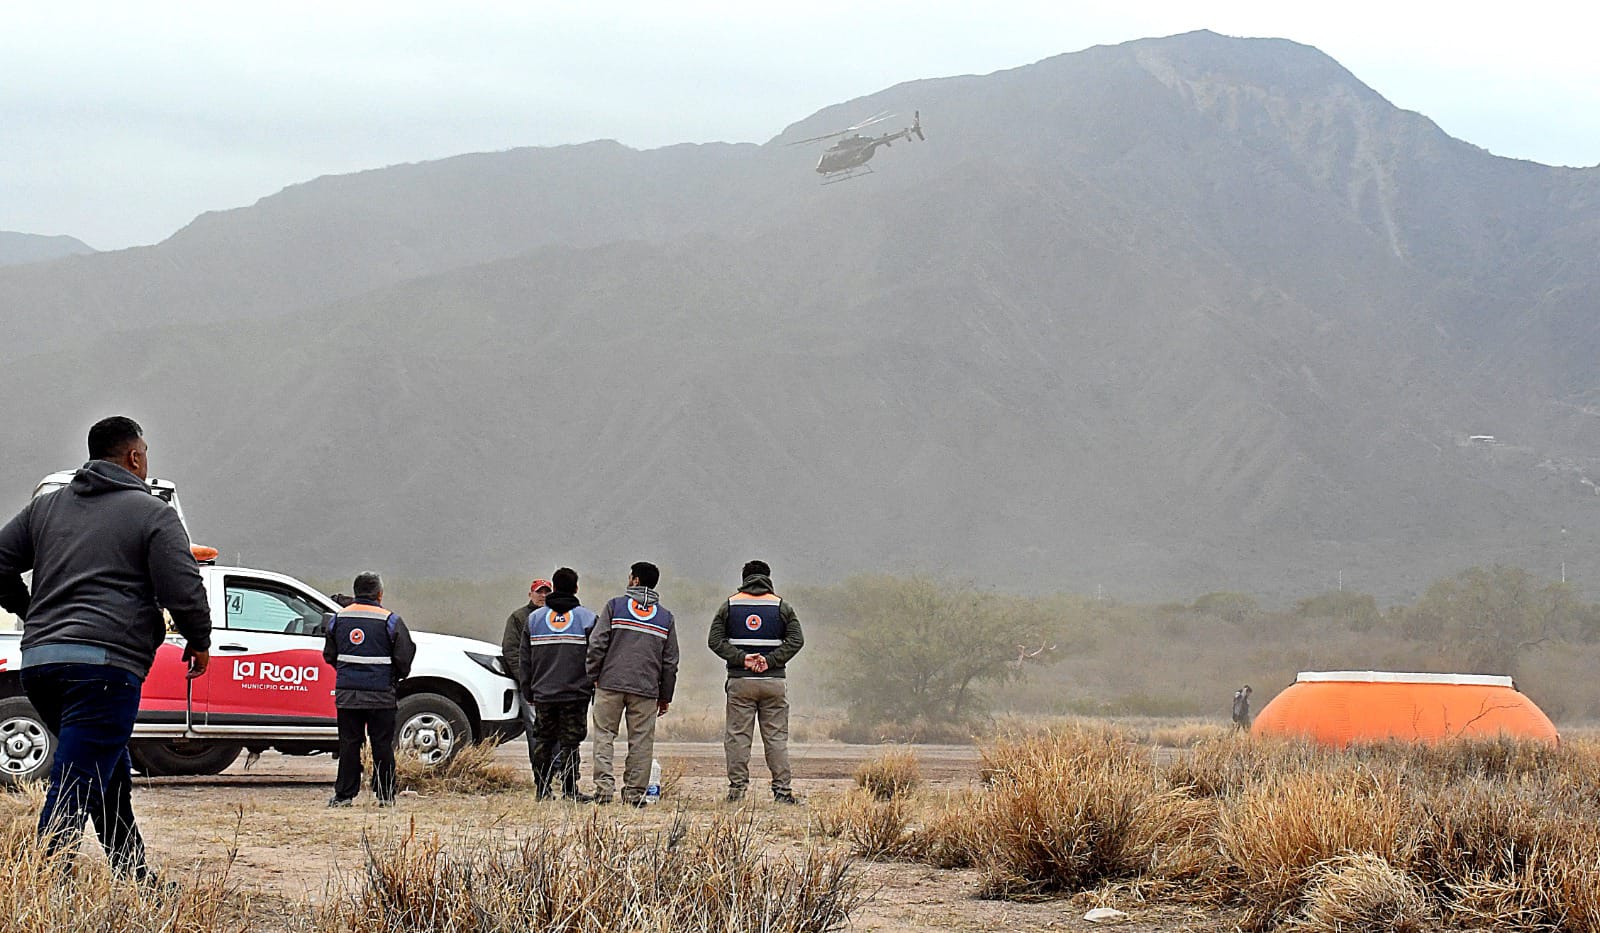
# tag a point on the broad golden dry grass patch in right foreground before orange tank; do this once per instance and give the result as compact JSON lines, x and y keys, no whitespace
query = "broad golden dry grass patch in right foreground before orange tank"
{"x":1470,"y":835}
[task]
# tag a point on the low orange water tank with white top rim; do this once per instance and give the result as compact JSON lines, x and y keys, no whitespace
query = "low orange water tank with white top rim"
{"x":1338,"y":708}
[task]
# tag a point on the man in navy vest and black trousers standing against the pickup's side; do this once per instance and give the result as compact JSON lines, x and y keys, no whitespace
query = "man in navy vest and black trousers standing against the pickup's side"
{"x":372,"y":652}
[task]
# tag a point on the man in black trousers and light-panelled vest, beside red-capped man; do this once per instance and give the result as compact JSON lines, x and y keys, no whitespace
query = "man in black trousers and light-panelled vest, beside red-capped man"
{"x":556,"y":684}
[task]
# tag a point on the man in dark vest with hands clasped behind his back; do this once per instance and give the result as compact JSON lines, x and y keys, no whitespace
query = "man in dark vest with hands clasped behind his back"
{"x":758,"y":635}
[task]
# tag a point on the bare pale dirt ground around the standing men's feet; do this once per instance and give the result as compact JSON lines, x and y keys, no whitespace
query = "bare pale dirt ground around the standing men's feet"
{"x":286,"y":846}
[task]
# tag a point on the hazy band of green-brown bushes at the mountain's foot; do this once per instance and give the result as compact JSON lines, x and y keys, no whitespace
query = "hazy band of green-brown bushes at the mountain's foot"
{"x":930,"y":662}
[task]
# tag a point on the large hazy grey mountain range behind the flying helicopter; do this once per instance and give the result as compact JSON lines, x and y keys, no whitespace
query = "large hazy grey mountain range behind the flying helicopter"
{"x":1174,"y":316}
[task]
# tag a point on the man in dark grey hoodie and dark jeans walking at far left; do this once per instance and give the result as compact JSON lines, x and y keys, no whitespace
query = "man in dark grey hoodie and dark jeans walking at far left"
{"x":106,"y":558}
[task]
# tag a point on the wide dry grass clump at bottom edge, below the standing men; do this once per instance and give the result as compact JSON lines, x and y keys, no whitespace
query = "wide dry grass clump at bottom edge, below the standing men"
{"x":598,"y":878}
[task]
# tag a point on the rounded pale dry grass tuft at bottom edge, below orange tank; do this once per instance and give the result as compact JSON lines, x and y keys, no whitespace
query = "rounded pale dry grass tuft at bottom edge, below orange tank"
{"x":1364,"y":894}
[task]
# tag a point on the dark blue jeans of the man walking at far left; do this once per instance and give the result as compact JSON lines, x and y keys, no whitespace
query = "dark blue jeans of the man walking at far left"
{"x":90,"y":710}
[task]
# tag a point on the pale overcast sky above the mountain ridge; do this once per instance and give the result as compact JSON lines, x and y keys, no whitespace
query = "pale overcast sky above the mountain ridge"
{"x":121,"y":122}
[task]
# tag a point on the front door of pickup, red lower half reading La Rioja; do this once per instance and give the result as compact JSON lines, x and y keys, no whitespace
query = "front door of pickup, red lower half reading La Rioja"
{"x":266,"y":663}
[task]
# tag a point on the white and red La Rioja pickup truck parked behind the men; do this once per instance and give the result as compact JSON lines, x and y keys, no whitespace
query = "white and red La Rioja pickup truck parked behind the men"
{"x":270,"y":689}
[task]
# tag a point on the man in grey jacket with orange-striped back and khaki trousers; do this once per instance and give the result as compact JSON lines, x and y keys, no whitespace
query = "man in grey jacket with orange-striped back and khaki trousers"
{"x":634,"y":663}
